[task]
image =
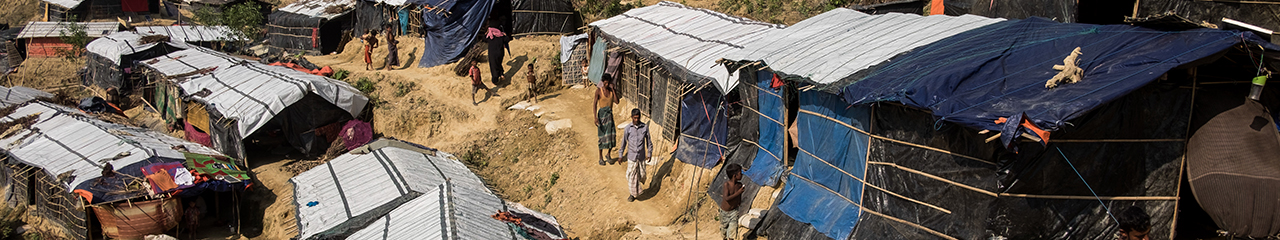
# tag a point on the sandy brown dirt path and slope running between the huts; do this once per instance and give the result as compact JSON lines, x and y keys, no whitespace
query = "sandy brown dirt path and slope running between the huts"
{"x":552,"y":173}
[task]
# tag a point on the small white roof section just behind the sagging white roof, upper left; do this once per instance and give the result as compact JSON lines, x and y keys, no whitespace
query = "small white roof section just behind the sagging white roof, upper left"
{"x":191,"y":61}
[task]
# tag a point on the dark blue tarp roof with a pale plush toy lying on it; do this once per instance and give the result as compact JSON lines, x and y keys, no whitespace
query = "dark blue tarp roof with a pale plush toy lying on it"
{"x":1000,"y":71}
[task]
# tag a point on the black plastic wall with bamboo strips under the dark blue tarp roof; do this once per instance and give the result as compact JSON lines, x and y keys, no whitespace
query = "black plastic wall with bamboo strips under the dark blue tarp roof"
{"x":1156,"y":116}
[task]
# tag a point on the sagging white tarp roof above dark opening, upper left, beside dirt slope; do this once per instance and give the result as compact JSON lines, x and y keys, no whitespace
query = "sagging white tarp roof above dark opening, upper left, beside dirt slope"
{"x":254,"y":93}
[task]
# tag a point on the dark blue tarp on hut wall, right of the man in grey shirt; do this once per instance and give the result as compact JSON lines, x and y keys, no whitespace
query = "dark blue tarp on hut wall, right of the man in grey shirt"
{"x":703,"y":127}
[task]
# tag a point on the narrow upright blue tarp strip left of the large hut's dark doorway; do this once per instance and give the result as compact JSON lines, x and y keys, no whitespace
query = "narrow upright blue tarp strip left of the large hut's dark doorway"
{"x":769,"y":165}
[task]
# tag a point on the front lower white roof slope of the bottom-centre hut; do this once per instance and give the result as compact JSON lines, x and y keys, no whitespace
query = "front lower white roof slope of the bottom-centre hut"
{"x":445,"y":213}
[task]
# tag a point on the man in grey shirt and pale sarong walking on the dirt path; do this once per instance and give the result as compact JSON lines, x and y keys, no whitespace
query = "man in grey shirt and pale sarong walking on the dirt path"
{"x":638,"y":149}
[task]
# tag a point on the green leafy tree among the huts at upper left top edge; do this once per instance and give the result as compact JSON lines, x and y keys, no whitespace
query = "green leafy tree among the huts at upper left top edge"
{"x":245,"y":21}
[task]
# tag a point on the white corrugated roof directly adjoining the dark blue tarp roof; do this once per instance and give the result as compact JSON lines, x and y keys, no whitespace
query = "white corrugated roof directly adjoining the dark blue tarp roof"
{"x":838,"y":44}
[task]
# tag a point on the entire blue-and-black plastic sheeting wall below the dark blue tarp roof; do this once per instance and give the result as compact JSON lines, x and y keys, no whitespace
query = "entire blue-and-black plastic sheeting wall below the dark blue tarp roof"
{"x":1128,"y":153}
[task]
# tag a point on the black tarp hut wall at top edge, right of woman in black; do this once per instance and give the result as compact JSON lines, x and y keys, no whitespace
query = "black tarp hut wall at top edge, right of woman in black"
{"x":546,"y":17}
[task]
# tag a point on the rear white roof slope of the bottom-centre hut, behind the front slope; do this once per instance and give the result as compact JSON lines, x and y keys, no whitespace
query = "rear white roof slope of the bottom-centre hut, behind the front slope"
{"x":354,"y":186}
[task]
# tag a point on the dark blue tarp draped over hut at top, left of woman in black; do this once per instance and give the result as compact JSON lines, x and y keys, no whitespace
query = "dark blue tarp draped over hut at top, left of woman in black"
{"x":449,"y":36}
